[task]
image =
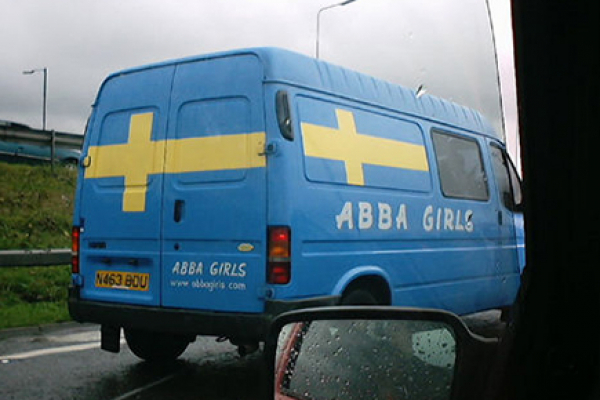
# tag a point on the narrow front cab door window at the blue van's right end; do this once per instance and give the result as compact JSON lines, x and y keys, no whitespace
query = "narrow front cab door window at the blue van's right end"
{"x":507,"y":180}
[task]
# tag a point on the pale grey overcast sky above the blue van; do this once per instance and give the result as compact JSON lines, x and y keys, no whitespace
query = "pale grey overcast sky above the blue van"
{"x":442,"y":44}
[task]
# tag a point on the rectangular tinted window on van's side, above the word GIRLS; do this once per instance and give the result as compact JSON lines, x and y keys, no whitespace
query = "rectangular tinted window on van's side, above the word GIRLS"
{"x":461,"y":170}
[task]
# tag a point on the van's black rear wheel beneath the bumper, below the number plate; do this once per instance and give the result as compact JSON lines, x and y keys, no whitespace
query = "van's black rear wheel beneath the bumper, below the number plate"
{"x":155,"y":346}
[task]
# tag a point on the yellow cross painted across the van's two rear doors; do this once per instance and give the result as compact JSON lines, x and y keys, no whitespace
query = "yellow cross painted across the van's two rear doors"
{"x":141,"y":156}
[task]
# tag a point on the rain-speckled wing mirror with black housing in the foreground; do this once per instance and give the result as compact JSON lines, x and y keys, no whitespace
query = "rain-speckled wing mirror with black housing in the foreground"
{"x":376,"y":353}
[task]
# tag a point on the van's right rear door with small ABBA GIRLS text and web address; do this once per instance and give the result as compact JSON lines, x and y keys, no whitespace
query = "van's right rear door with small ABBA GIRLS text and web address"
{"x":214,"y":209}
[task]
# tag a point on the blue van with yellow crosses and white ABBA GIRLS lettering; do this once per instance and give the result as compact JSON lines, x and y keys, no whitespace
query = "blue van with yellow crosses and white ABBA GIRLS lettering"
{"x":218,"y":191}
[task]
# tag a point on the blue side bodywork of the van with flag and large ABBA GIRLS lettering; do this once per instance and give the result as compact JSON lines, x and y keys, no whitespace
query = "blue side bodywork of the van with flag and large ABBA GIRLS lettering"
{"x":367,"y":197}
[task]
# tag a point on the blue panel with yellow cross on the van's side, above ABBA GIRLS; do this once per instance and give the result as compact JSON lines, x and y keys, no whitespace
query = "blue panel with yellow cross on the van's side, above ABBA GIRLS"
{"x":362,"y":148}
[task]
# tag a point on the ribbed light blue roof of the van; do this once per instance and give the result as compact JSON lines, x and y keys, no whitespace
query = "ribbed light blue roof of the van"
{"x":284,"y":66}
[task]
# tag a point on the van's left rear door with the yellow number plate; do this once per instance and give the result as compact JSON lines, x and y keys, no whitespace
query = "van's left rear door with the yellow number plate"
{"x":121,"y":189}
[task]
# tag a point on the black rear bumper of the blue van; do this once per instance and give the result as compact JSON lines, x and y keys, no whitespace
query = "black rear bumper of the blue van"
{"x":239,"y":326}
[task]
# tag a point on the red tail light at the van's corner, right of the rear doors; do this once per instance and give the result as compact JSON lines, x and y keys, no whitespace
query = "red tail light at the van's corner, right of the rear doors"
{"x":279,"y":269}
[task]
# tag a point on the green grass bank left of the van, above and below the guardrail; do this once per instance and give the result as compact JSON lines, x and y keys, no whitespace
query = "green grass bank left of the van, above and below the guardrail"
{"x":36,"y":208}
